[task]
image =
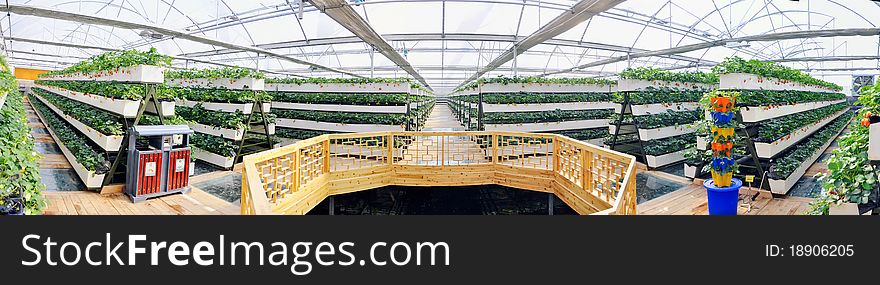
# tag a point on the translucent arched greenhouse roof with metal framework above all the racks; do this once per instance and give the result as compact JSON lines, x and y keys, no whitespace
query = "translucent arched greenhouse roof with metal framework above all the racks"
{"x":446,"y":44}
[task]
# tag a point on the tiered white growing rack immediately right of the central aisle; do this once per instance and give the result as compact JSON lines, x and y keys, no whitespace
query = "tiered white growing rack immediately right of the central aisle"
{"x":577,"y":108}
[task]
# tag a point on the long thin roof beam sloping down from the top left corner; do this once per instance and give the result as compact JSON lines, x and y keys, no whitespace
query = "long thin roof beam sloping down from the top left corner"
{"x":51,"y":13}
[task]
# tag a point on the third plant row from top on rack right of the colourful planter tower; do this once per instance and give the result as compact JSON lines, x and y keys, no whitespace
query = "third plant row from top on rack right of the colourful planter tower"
{"x":774,"y":129}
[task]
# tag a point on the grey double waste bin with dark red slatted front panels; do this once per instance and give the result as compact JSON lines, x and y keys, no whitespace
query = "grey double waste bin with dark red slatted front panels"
{"x":159,"y":161}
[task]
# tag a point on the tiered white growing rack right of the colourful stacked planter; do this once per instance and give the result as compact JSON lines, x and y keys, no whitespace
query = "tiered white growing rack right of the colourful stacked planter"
{"x":787,"y":125}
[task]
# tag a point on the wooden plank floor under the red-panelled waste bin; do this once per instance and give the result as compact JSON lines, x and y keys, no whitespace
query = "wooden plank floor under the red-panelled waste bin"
{"x":196,"y":202}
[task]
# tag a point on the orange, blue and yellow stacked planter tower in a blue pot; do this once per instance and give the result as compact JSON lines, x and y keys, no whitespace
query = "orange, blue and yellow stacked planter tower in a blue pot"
{"x":722,"y":189}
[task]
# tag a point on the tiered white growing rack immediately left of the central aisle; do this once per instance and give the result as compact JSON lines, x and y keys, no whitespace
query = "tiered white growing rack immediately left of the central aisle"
{"x":316,"y":106}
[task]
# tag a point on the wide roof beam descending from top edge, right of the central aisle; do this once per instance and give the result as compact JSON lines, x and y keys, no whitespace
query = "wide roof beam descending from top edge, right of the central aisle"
{"x":579,"y":12}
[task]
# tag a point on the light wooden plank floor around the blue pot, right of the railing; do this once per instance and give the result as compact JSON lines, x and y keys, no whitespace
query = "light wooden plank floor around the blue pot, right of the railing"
{"x":691,"y":200}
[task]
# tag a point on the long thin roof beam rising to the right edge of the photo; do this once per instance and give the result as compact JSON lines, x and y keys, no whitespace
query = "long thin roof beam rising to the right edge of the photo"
{"x":757,"y":38}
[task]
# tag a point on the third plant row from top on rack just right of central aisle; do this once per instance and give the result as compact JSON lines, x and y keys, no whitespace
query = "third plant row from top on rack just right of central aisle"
{"x":545,"y":116}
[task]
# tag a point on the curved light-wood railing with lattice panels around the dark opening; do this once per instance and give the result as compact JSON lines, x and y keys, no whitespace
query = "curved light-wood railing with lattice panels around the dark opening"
{"x":272,"y":176}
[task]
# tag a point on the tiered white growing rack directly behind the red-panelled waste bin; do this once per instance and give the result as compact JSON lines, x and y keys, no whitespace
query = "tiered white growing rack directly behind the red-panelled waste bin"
{"x":90,"y":120}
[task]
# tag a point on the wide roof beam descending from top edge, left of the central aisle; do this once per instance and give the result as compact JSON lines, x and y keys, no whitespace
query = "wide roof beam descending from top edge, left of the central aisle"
{"x":345,"y":16}
